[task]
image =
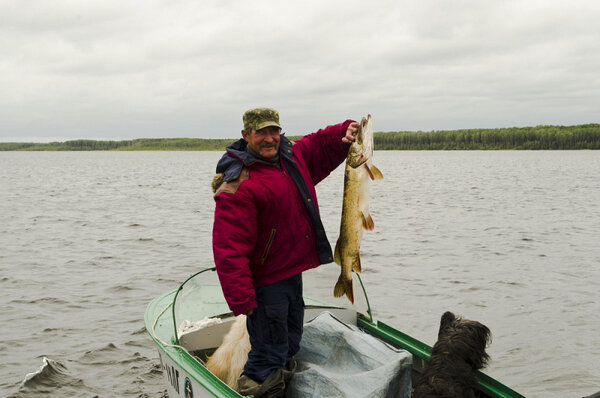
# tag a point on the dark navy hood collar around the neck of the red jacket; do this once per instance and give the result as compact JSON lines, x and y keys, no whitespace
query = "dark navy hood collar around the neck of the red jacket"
{"x":231,"y":163}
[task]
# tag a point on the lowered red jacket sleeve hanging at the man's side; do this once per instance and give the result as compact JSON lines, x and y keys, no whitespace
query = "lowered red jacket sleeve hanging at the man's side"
{"x":234,"y":237}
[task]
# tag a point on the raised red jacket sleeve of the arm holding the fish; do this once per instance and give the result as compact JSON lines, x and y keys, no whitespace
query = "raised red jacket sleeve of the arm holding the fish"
{"x":324,"y":150}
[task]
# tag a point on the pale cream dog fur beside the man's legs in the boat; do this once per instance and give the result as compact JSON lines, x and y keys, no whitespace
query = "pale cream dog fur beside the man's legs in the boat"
{"x":227,"y":362}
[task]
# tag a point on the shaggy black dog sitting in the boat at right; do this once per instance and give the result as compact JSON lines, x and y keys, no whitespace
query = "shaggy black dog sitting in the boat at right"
{"x":456,"y":356}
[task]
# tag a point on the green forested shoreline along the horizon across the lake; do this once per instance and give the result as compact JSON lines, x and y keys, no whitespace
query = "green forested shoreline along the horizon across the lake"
{"x":585,"y":136}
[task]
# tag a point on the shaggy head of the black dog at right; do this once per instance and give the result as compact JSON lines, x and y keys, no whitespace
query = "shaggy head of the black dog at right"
{"x":463,"y":340}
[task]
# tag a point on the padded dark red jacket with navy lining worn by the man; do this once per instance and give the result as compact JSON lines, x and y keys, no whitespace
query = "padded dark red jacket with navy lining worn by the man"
{"x":263,"y":230}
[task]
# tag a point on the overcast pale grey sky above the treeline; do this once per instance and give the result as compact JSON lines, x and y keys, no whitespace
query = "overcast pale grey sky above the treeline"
{"x":108,"y":69}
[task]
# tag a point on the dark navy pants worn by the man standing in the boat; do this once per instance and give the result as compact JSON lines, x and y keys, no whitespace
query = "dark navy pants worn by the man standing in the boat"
{"x":275,"y":327}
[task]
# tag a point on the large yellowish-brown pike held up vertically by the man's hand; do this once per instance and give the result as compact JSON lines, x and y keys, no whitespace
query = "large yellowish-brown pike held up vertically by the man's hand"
{"x":355,"y":208}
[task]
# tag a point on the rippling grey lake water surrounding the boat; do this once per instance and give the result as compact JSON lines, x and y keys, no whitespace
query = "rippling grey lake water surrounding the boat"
{"x":511,"y":239}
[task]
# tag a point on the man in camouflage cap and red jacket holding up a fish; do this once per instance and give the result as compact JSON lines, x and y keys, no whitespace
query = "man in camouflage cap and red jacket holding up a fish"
{"x":267,"y":231}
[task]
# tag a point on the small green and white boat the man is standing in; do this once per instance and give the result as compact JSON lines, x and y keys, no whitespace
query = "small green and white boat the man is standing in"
{"x":188,"y":324}
